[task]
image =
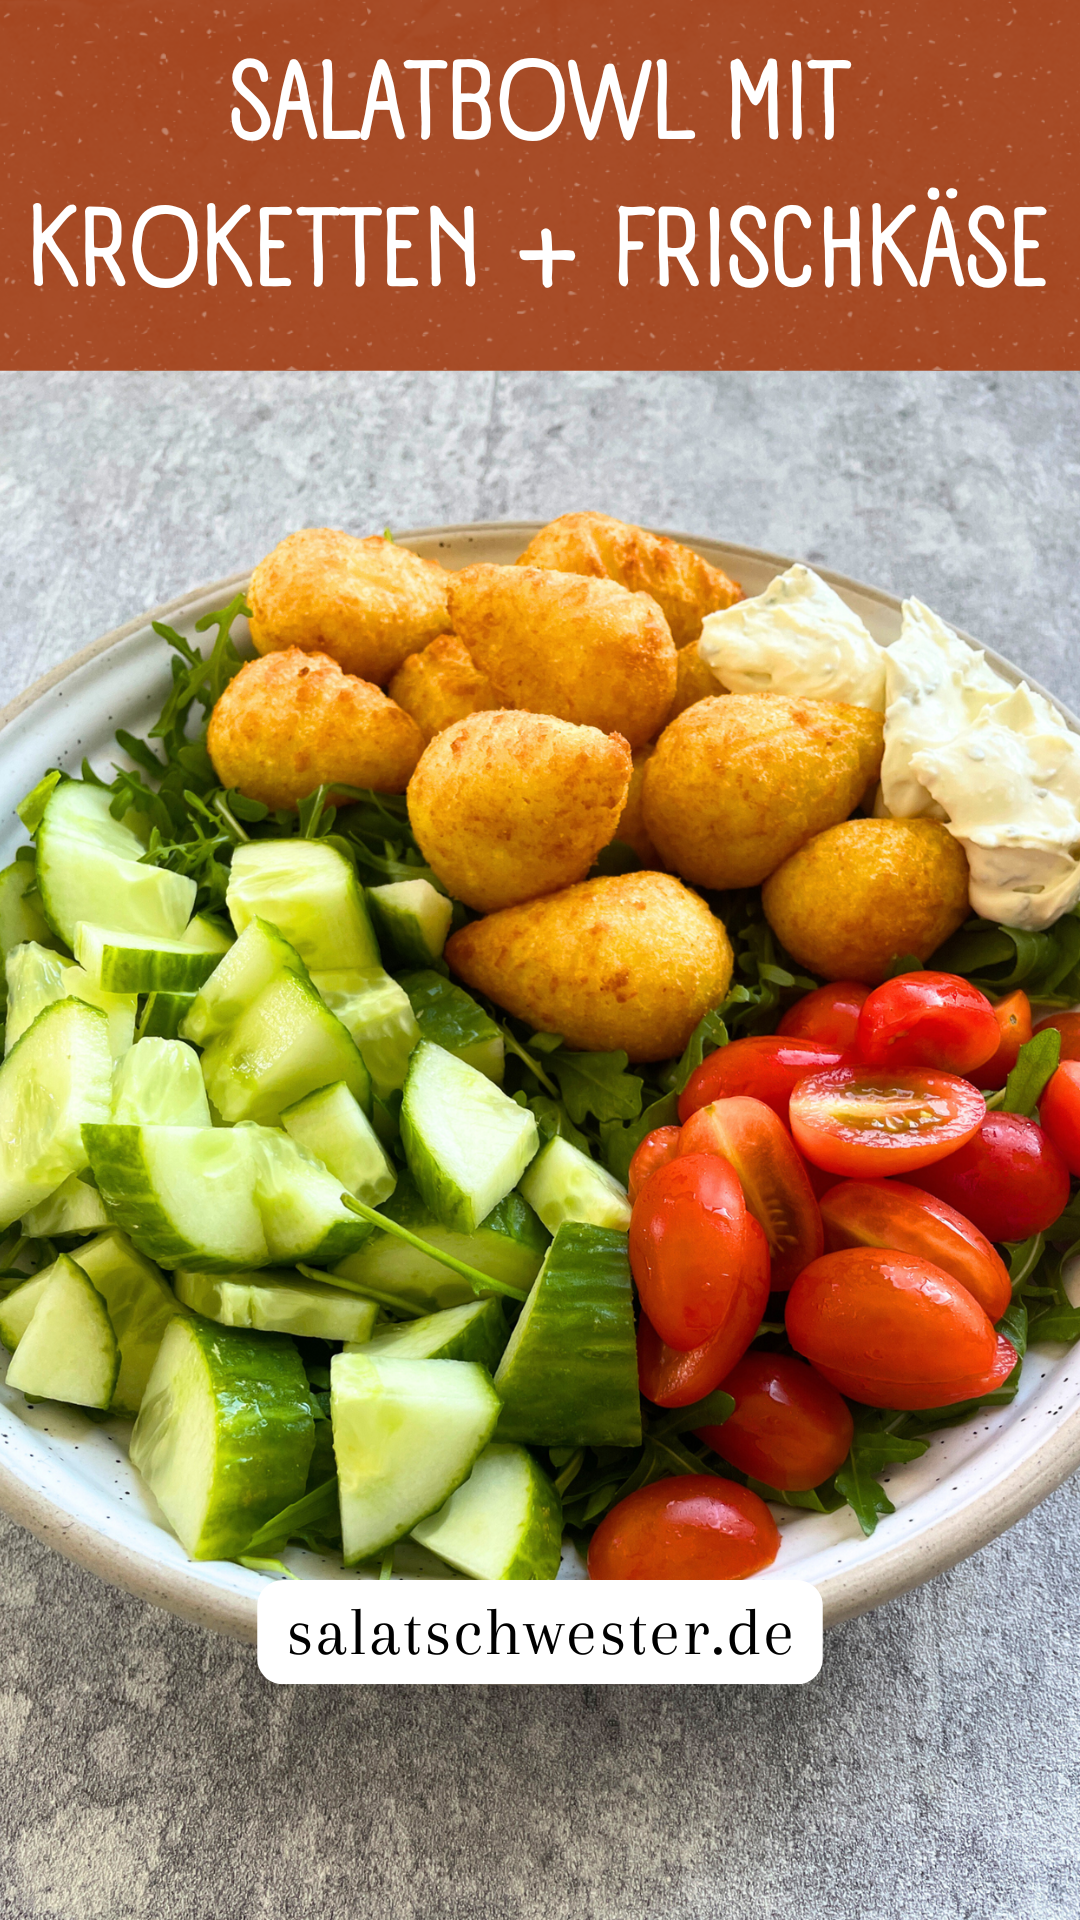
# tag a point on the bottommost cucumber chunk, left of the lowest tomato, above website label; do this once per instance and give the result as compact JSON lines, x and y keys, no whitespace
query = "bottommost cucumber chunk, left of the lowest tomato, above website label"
{"x":504,"y":1524}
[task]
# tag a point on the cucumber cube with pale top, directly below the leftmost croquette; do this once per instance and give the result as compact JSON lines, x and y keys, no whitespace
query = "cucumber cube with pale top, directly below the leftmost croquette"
{"x":310,"y":894}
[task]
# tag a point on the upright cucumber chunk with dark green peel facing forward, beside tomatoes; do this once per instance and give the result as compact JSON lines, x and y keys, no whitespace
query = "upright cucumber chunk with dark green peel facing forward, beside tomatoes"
{"x":570,"y":1376}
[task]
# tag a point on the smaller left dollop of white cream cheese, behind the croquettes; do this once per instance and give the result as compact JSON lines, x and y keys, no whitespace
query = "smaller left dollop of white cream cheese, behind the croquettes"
{"x":797,"y":638}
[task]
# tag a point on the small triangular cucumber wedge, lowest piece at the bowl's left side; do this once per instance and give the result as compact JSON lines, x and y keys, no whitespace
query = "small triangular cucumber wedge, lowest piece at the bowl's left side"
{"x":68,"y":1351}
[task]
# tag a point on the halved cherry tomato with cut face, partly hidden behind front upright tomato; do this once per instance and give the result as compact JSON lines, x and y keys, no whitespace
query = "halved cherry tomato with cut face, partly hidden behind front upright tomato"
{"x":773,"y":1180}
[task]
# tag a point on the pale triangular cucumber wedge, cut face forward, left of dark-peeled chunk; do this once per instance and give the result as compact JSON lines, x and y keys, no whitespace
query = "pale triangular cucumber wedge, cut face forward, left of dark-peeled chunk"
{"x":406,"y":1435}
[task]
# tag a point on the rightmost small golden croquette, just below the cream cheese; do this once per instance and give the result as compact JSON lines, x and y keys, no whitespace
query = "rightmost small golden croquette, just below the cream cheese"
{"x":868,"y":892}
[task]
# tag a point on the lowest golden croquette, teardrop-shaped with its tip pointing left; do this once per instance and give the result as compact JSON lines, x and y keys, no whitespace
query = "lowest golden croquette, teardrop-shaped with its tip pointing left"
{"x":627,"y":963}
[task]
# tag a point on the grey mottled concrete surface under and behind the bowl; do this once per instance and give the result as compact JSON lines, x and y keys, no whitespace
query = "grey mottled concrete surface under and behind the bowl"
{"x":931,"y":1773}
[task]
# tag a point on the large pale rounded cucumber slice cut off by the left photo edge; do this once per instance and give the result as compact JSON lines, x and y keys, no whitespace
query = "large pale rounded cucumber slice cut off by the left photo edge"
{"x":53,"y":1082}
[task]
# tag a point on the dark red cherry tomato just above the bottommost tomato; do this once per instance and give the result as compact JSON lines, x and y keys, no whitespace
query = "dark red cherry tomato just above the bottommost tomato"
{"x":789,"y":1428}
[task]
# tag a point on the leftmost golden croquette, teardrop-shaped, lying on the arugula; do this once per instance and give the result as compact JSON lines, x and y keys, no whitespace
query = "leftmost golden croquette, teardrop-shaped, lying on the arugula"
{"x":293,"y":723}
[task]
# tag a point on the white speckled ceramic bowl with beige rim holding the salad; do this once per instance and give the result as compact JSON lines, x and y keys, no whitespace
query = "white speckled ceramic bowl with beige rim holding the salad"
{"x":70,"y":1479}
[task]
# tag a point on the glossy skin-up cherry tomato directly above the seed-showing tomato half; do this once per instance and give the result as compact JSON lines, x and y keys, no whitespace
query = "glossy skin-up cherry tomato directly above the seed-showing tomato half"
{"x":927,"y":1020}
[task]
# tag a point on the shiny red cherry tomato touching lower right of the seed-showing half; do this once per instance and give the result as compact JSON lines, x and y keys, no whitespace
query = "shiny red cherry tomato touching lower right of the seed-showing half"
{"x":1010,"y":1180}
